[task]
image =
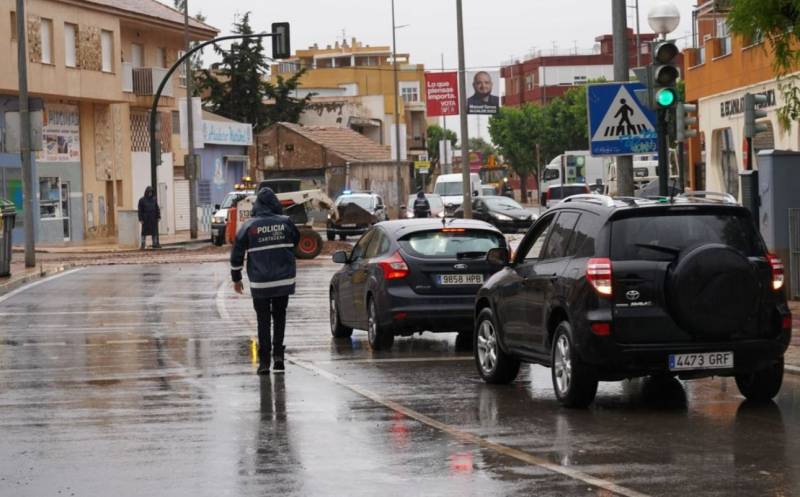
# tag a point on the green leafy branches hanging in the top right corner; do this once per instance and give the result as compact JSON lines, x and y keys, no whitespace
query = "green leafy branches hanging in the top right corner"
{"x":778,"y":22}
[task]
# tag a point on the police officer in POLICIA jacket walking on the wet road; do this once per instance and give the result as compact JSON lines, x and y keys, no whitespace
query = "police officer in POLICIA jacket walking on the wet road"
{"x":267,"y":240}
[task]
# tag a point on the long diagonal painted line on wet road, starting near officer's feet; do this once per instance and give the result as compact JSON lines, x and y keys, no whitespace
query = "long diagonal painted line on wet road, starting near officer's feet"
{"x":469,"y":437}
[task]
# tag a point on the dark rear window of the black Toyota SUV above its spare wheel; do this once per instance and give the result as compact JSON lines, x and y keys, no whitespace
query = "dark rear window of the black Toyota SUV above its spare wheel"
{"x":637,"y":238}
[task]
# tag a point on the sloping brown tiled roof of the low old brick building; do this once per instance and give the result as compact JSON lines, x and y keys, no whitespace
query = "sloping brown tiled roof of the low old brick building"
{"x":349,"y":144}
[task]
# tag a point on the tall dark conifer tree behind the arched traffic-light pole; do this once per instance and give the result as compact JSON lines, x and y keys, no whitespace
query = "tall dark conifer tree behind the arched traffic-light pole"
{"x":237,"y":87}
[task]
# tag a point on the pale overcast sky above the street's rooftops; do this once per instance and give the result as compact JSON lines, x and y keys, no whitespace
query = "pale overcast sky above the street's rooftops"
{"x":495,"y":30}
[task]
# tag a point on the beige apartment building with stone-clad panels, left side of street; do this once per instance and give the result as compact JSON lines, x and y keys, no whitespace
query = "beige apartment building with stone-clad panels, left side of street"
{"x":94,"y":66}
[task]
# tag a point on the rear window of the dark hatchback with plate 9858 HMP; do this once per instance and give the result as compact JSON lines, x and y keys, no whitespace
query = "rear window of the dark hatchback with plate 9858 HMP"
{"x":451,"y":244}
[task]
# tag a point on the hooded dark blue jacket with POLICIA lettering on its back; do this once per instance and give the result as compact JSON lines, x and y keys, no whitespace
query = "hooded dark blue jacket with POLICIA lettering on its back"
{"x":267,"y":239}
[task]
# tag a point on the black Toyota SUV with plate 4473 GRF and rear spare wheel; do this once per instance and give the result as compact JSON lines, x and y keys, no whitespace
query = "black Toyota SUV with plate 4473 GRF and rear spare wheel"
{"x":605,"y":289}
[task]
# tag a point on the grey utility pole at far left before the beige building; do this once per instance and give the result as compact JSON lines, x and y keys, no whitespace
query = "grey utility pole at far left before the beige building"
{"x":28,"y":176}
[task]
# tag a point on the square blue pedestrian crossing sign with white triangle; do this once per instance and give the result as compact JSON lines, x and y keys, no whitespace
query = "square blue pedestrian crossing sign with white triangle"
{"x":618,"y":123}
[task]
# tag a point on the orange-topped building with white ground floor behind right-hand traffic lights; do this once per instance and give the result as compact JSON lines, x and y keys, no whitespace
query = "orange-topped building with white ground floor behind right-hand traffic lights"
{"x":720,"y":69}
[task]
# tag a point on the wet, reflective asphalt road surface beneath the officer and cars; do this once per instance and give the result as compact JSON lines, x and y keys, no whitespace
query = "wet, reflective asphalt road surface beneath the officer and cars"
{"x":140,"y":380}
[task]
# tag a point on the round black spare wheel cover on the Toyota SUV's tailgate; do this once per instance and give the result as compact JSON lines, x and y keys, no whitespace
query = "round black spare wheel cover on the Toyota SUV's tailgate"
{"x":712,"y":289}
